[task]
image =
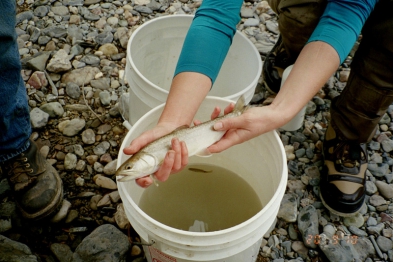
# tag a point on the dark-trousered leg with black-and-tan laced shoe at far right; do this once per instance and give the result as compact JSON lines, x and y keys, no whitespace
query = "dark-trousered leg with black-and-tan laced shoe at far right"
{"x":355,"y":114}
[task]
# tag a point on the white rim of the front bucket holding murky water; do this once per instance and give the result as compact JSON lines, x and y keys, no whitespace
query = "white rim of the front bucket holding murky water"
{"x":279,"y":192}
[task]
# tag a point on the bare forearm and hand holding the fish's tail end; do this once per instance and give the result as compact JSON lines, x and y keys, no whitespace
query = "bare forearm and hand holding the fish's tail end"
{"x":315,"y":64}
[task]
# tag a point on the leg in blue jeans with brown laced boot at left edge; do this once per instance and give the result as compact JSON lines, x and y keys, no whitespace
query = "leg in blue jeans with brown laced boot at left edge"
{"x":36,"y":184}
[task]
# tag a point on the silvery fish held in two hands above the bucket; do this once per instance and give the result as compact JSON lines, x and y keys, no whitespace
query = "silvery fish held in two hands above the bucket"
{"x":197,"y":139}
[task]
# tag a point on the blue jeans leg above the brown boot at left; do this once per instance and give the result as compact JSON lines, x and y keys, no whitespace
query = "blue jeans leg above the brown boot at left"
{"x":15,"y":127}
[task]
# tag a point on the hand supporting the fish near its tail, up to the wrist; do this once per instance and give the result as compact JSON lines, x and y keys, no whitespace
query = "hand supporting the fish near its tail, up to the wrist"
{"x":253,"y":122}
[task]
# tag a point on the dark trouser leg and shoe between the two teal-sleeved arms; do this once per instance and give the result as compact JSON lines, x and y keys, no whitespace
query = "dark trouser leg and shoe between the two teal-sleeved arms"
{"x":297,"y":20}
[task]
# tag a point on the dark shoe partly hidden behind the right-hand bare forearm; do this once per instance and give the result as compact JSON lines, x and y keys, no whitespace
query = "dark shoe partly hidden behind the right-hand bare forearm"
{"x":276,"y":61}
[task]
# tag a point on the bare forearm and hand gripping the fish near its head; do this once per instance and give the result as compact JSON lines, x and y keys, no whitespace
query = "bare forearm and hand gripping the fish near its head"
{"x":187,"y":92}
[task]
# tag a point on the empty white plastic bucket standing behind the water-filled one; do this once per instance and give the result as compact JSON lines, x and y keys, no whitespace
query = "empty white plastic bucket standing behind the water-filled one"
{"x":152,"y":54}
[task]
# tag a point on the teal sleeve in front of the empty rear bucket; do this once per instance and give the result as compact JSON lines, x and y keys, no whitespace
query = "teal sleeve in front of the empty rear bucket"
{"x":209,"y":37}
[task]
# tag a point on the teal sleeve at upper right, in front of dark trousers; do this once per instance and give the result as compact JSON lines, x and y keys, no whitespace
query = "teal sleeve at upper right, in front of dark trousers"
{"x":341,"y":23}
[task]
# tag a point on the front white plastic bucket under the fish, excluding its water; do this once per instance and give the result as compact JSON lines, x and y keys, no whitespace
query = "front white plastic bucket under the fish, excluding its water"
{"x":261,"y":162}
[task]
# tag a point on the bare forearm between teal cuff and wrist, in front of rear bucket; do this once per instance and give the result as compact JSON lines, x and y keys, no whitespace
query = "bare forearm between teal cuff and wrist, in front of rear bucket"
{"x":187,"y":92}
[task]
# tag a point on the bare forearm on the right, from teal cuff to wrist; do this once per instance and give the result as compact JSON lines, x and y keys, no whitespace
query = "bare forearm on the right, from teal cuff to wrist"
{"x":315,"y":65}
